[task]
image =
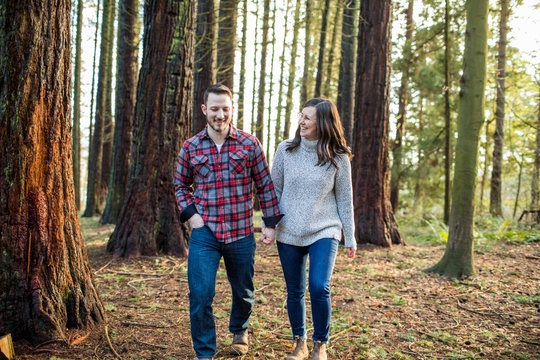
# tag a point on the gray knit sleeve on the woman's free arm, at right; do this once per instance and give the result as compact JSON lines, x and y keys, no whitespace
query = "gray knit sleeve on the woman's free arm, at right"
{"x":344,"y":200}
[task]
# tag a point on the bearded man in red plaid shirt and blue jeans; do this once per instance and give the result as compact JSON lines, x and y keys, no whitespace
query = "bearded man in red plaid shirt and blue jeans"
{"x":213,"y":184}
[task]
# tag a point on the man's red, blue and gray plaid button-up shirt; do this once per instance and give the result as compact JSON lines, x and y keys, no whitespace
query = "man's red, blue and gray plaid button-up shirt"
{"x":218,"y":185}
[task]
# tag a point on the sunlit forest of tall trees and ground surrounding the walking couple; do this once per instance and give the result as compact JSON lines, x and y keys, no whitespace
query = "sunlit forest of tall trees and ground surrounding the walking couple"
{"x":440,"y":104}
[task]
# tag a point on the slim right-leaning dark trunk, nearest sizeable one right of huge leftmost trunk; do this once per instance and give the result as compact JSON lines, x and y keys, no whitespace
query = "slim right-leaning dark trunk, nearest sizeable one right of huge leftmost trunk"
{"x":95,"y":158}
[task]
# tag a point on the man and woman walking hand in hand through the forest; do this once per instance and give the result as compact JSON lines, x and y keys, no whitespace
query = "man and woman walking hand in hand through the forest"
{"x":306,"y":203}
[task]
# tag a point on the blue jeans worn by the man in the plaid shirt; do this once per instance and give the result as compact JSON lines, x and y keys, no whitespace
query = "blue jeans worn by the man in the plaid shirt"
{"x":205,"y":252}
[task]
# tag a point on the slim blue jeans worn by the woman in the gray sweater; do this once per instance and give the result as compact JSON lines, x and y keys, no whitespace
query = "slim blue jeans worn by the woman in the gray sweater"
{"x":322,"y":256}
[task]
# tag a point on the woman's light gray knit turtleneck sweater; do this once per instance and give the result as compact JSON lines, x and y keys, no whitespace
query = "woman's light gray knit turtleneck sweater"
{"x":316,"y":200}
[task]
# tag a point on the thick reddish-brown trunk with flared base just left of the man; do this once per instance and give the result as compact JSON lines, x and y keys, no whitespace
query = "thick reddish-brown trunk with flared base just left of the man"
{"x":148,"y":223}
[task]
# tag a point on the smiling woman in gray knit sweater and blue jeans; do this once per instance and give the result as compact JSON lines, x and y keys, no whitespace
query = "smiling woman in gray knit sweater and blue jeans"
{"x":312,"y":179}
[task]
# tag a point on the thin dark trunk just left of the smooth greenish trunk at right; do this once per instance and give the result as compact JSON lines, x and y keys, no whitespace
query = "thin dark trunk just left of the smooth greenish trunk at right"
{"x":447,"y":123}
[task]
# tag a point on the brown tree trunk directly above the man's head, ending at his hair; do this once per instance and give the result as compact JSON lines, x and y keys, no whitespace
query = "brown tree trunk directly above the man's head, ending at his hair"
{"x":228,"y":12}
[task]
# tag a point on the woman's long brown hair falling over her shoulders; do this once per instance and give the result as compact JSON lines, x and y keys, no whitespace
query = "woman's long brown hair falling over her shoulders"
{"x":329,"y":130}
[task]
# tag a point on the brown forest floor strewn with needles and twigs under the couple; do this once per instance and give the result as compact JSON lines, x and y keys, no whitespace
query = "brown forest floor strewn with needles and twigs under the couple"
{"x":384,"y":306}
